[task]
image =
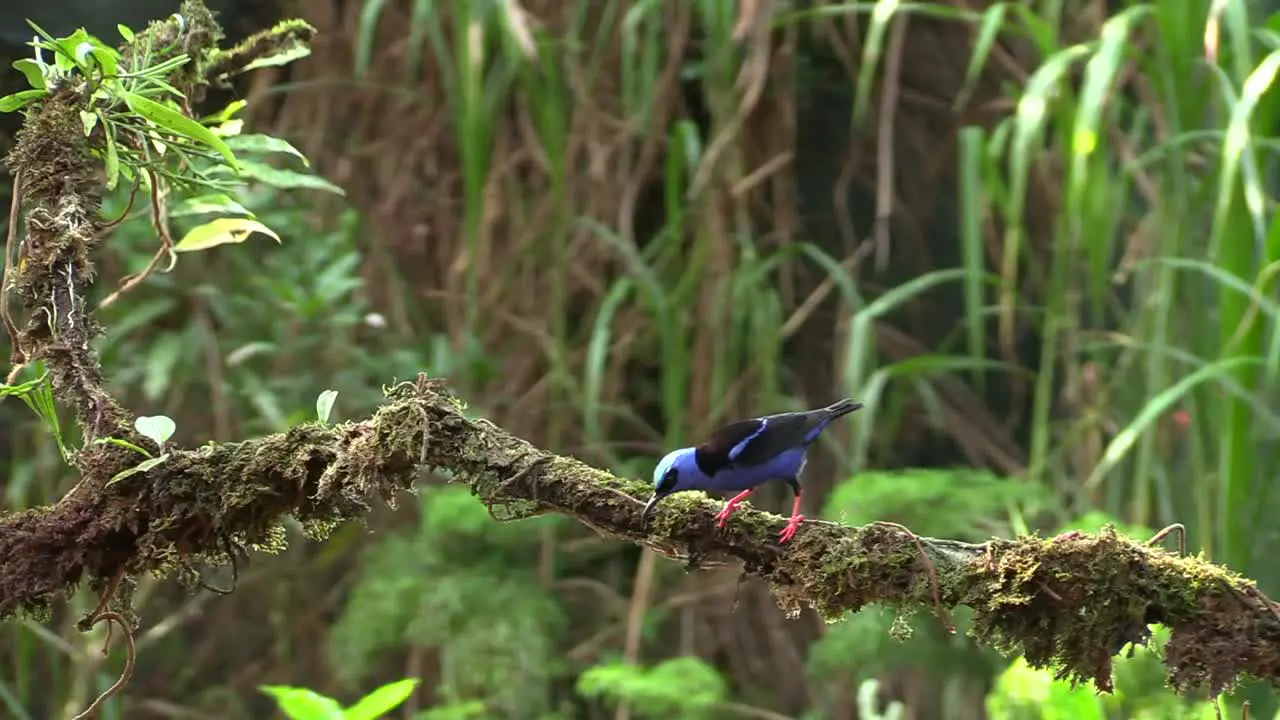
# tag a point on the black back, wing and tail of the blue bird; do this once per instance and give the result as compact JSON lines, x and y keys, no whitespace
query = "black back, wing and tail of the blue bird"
{"x":770,"y":436}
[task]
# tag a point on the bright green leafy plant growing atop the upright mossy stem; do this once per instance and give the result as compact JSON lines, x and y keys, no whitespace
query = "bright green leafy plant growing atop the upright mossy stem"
{"x":136,"y":110}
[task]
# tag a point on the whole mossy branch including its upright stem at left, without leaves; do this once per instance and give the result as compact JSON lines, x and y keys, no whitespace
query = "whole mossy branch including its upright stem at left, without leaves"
{"x":1075,"y":600}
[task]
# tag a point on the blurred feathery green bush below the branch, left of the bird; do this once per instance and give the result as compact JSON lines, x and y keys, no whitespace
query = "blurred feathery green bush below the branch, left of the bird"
{"x":469,"y":590}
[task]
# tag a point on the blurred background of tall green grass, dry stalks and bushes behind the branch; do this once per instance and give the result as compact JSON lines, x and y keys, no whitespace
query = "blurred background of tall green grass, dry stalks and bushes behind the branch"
{"x":1037,"y":239}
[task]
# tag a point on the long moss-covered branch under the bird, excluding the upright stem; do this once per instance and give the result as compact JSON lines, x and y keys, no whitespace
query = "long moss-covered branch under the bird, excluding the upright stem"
{"x":1072,"y":601}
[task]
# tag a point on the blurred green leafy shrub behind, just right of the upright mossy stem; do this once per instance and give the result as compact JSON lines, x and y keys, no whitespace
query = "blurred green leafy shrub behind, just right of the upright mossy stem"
{"x":263,"y":316}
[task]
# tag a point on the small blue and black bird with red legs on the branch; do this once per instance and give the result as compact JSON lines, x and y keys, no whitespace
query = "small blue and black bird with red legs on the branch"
{"x":744,"y":455}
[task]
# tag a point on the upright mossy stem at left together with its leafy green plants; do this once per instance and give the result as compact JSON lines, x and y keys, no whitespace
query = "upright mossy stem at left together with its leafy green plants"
{"x":131,"y":111}
